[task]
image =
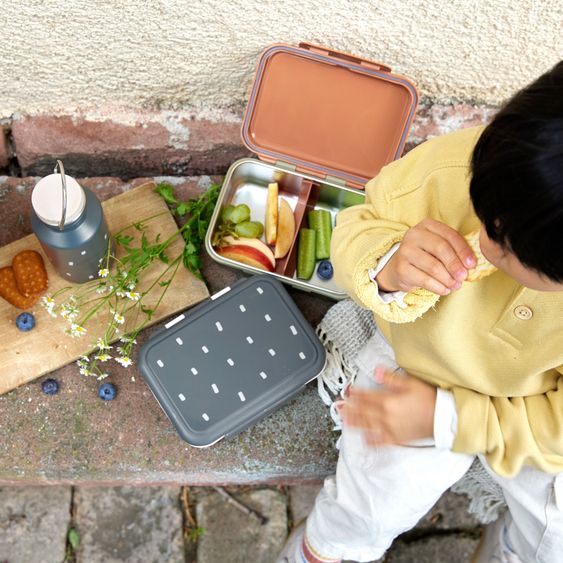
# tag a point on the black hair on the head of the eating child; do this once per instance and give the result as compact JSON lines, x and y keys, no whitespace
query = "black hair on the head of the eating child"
{"x":517,"y":175}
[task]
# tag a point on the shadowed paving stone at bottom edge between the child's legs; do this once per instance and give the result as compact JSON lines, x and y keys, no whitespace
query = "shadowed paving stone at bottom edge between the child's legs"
{"x":451,"y":548}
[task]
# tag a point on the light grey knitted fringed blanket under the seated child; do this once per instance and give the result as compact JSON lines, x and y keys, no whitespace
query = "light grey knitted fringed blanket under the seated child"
{"x":344,"y":331}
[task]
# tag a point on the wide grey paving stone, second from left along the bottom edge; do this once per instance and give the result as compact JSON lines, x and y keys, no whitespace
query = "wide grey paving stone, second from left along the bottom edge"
{"x":129,"y":524}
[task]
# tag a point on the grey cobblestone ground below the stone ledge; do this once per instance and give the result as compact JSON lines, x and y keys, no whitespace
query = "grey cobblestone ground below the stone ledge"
{"x":194,"y":525}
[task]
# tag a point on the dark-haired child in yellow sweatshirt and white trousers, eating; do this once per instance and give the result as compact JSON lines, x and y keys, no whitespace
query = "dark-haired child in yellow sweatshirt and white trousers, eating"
{"x":481,"y":363}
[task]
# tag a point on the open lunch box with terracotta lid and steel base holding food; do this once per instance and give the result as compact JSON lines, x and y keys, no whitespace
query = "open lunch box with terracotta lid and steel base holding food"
{"x":323,"y":123}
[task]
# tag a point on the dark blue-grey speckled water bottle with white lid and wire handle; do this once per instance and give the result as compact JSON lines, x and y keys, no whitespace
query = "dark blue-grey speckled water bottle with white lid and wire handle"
{"x":69,"y":222}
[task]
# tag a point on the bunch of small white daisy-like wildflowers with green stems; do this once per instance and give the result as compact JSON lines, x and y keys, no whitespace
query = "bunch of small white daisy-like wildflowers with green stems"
{"x":125,"y":296}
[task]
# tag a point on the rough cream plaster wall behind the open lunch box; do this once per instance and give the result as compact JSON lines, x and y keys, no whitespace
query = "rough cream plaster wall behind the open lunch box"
{"x":179,"y":54}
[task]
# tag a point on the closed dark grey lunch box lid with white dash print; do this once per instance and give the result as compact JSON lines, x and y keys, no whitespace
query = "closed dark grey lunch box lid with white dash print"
{"x":232,"y":360}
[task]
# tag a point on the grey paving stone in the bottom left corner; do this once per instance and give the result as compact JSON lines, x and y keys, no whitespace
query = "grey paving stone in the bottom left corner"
{"x":34,"y":523}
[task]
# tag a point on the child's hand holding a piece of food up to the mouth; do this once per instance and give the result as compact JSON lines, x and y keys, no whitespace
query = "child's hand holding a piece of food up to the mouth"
{"x":432,"y":256}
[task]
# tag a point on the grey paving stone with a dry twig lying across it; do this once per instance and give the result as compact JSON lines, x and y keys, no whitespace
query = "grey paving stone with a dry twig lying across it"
{"x":230,"y":536}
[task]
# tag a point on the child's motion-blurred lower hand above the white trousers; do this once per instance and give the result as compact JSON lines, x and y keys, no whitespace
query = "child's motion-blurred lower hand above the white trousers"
{"x":399,"y":412}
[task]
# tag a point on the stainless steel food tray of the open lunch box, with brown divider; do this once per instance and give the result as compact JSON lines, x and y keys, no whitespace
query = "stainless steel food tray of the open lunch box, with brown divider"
{"x":247,"y":183}
